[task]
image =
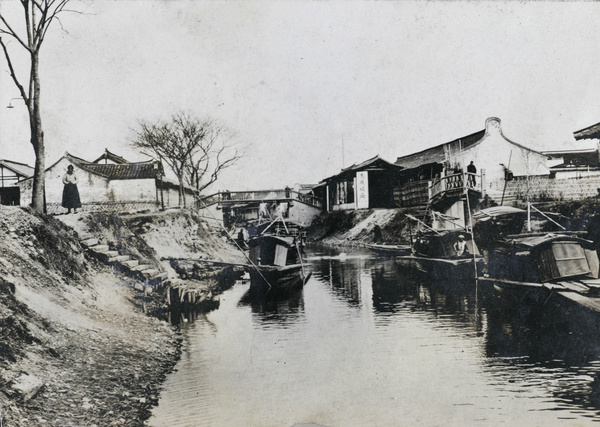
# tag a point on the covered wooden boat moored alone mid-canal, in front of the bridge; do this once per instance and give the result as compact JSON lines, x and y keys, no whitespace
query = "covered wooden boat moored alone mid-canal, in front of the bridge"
{"x":277,"y":264}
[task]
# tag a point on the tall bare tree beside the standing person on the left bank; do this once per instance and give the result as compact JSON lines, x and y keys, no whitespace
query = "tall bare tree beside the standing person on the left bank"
{"x":29,"y":35}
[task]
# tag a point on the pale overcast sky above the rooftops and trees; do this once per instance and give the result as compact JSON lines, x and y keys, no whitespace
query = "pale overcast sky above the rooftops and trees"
{"x":312,"y":86}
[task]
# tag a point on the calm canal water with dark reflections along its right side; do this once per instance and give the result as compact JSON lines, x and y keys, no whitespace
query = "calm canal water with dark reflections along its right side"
{"x":366,"y":344}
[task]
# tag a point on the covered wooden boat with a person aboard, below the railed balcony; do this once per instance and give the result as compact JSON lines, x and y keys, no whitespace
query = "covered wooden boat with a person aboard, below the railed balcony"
{"x":433,"y":253}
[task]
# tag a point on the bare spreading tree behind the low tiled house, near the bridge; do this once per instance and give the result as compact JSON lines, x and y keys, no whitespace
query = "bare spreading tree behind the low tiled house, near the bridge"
{"x":196,"y":150}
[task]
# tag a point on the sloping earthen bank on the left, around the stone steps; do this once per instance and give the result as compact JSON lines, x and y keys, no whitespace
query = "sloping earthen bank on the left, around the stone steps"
{"x":76,"y":347}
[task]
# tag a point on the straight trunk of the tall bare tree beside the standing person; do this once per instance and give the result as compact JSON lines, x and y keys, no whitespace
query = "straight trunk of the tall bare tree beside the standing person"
{"x":37,"y":139}
